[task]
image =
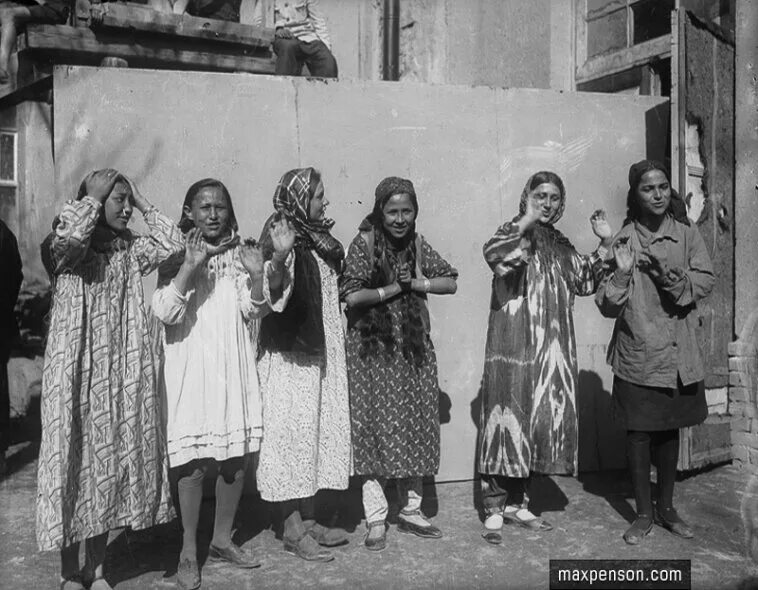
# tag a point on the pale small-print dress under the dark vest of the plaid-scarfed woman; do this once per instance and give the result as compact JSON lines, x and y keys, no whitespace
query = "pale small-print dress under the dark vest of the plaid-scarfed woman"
{"x":306,"y":421}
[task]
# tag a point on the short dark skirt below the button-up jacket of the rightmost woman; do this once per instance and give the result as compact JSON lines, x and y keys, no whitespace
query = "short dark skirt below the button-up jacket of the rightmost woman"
{"x":659,"y":408}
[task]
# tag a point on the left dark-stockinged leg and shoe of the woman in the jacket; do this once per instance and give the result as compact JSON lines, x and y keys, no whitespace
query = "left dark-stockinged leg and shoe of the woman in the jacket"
{"x":638,"y":456}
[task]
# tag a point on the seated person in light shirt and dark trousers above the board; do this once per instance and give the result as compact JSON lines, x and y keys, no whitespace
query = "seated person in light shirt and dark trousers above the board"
{"x":301,"y":38}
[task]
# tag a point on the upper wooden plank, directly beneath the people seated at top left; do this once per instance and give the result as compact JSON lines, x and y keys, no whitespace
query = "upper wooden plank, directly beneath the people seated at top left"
{"x":137,"y":17}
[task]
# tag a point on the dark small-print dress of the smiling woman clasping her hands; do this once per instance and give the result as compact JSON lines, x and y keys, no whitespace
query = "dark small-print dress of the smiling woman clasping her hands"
{"x":394,"y":406}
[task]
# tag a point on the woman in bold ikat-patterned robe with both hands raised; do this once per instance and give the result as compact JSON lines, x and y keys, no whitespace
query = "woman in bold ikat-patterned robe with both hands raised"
{"x":528,"y":419}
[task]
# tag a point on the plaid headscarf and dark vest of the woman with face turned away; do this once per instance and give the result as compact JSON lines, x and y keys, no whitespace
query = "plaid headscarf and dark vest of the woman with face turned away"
{"x":300,"y":327}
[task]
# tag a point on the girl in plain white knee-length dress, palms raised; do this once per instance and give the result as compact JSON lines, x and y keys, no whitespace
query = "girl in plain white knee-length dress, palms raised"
{"x":210,"y":300}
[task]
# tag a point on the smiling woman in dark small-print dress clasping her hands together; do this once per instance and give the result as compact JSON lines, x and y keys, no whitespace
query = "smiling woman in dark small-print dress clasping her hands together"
{"x":394,"y":393}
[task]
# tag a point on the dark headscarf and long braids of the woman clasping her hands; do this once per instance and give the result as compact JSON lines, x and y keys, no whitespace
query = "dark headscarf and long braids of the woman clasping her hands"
{"x":375,"y":322}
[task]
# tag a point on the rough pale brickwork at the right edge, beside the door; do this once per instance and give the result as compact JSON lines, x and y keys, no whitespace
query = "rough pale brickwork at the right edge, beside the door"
{"x":743,"y":395}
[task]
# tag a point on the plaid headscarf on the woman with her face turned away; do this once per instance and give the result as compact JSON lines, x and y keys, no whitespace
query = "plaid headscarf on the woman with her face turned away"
{"x":292,"y":198}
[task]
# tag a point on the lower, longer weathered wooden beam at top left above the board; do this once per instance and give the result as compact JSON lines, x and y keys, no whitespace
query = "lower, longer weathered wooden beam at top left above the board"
{"x":62,"y":43}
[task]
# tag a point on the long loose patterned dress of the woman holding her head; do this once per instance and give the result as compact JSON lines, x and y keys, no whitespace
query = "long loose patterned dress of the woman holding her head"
{"x":102,"y":462}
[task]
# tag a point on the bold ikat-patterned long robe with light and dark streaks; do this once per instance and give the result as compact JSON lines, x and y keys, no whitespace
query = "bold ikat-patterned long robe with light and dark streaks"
{"x":528,"y":418}
